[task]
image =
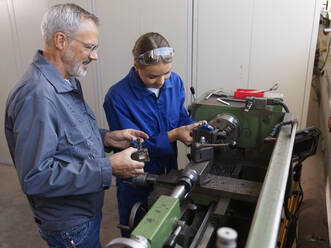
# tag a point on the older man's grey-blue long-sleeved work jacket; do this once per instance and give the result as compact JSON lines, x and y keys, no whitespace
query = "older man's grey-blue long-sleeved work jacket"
{"x":56,"y":147}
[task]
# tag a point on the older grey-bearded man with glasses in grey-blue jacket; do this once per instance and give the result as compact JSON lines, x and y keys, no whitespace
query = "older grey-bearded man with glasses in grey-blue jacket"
{"x":53,"y":136}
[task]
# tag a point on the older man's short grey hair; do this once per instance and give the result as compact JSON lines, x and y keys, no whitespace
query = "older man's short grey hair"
{"x":64,"y":18}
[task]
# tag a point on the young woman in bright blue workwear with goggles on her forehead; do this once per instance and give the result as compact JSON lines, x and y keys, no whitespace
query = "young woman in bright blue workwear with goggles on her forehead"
{"x":151,"y":99}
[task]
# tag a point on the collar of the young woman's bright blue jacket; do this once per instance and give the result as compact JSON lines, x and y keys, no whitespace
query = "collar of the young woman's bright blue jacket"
{"x":138,"y":87}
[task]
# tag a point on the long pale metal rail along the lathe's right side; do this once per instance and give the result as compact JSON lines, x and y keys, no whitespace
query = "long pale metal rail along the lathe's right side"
{"x":265,"y":224}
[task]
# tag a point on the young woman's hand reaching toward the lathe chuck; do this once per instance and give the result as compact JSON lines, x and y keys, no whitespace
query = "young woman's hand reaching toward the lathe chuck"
{"x":183,"y":133}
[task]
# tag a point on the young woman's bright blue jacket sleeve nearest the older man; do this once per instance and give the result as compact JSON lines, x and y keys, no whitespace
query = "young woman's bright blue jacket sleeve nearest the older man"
{"x":119,"y":117}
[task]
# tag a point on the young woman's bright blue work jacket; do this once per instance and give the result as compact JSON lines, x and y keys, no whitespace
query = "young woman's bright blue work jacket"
{"x":128,"y":104}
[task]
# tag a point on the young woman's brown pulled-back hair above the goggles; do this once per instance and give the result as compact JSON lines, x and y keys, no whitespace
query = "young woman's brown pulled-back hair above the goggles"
{"x":148,"y":42}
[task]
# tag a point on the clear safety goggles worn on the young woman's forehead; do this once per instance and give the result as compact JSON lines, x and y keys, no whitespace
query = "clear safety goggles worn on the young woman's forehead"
{"x":154,"y":56}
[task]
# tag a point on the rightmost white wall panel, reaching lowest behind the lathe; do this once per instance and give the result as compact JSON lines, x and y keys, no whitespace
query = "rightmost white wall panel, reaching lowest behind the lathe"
{"x":282,"y":35}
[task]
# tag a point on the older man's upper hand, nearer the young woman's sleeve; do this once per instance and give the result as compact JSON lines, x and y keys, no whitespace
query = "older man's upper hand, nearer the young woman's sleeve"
{"x":122,"y":138}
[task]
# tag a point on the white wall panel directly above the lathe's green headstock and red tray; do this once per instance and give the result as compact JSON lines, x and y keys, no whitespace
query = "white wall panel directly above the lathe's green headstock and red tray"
{"x":223,"y":44}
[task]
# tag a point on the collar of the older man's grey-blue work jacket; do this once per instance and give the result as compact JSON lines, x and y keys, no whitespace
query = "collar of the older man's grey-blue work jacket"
{"x":52,"y":74}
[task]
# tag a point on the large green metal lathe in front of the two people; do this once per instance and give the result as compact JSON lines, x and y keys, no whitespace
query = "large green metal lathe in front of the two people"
{"x":237,"y":177}
